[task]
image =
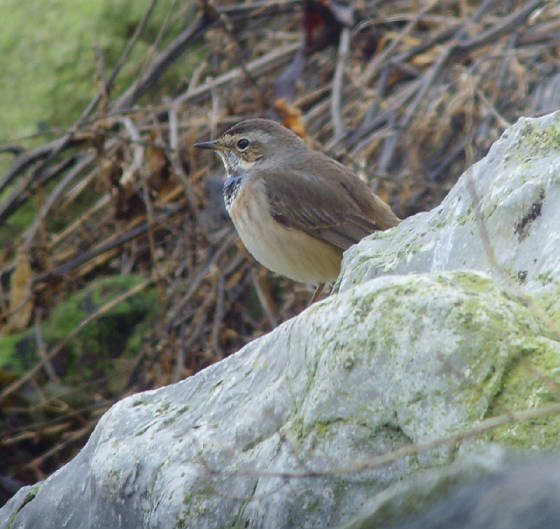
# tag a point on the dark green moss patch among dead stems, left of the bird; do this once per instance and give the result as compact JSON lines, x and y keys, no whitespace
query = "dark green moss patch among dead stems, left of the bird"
{"x":92,"y":352}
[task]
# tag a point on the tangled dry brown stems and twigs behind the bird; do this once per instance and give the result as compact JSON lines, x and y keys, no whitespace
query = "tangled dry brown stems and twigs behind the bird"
{"x":407,"y":93}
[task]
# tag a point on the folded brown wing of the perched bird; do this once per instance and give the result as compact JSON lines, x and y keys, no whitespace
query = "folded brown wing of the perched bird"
{"x":340,"y":210}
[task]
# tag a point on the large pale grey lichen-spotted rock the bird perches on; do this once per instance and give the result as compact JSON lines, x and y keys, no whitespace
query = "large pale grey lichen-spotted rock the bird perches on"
{"x":424,"y":339}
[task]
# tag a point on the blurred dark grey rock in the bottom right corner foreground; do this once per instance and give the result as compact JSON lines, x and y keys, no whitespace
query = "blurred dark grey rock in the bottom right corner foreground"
{"x":513,"y":494}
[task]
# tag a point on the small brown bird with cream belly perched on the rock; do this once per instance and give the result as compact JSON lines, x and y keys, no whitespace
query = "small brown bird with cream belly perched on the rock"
{"x":295,"y":209}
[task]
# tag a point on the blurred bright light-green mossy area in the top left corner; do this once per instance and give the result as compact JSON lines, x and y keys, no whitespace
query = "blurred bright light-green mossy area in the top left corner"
{"x":48,"y":63}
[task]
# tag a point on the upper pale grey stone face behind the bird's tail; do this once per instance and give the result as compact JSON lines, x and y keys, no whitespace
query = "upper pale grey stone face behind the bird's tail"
{"x":518,"y":190}
